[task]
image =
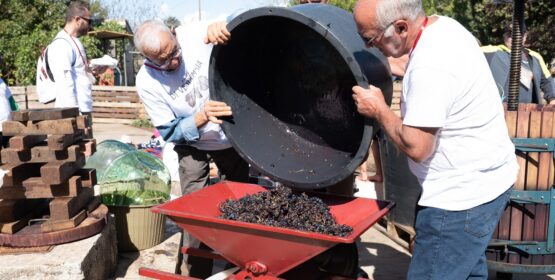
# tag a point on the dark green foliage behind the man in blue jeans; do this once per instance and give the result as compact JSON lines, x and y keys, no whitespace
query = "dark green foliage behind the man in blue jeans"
{"x":486,"y":20}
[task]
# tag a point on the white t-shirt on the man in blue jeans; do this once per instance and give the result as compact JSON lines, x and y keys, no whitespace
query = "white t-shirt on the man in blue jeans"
{"x":448,"y":85}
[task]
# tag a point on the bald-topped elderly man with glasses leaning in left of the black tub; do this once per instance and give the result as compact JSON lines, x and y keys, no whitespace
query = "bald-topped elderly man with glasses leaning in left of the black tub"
{"x":173,"y":85}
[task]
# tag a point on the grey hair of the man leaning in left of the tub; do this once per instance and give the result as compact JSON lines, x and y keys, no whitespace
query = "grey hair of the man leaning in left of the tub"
{"x":146,"y":37}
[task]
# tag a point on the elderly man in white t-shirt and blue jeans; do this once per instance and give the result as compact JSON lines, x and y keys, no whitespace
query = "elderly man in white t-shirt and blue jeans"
{"x":452,"y":129}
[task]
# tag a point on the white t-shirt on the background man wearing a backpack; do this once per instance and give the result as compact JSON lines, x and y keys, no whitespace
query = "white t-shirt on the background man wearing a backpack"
{"x":67,"y":58}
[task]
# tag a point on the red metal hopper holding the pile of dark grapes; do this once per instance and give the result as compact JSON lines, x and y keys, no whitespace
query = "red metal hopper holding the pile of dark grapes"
{"x":259,"y":249}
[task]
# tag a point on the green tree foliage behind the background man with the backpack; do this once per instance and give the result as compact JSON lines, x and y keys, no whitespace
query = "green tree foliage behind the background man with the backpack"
{"x":28,"y":26}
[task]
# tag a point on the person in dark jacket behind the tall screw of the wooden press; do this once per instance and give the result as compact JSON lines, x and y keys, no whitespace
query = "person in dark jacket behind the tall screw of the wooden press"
{"x":536,"y":83}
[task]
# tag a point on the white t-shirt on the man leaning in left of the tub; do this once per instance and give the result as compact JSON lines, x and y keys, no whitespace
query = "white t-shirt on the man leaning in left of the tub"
{"x":183,"y":92}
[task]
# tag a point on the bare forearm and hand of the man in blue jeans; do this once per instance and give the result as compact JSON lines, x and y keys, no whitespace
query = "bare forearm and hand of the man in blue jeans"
{"x":417,"y":142}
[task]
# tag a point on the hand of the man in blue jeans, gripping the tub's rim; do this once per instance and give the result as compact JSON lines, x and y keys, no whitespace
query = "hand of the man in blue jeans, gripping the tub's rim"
{"x":370,"y":102}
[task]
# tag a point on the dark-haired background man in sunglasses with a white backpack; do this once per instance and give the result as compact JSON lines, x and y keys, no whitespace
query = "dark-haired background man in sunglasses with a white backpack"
{"x":68,"y":62}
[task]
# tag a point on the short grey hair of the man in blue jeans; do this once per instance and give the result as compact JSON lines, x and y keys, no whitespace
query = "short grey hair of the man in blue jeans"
{"x":388,"y":11}
